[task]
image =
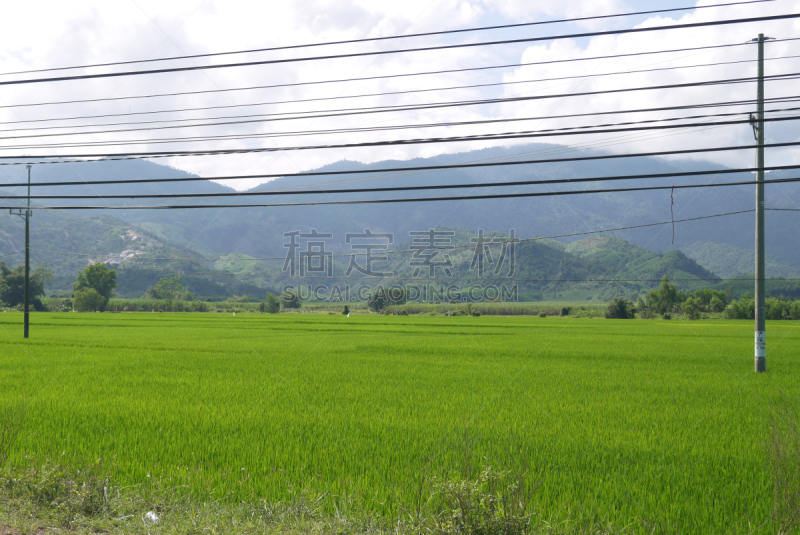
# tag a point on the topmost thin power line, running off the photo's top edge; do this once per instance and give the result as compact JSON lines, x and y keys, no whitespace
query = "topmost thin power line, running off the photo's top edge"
{"x":374,"y":39}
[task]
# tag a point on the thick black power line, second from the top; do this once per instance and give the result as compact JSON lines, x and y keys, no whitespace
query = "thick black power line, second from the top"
{"x":400,"y":51}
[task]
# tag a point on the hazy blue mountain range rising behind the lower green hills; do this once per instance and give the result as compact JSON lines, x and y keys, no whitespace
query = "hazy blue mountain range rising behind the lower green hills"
{"x":719,"y":244}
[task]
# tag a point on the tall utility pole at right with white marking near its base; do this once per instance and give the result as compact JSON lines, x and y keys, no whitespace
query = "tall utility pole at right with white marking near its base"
{"x":758,"y":126}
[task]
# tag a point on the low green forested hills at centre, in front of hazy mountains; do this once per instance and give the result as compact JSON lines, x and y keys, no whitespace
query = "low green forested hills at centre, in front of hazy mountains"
{"x":599,"y":267}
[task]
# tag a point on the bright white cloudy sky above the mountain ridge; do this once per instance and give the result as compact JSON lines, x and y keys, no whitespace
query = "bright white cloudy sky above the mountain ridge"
{"x":64,"y":34}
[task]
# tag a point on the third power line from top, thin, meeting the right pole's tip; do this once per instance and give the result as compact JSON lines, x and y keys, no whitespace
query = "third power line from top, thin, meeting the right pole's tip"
{"x":382,"y":77}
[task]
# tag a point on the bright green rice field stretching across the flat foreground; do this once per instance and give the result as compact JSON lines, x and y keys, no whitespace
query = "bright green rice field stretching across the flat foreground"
{"x":638,"y":424}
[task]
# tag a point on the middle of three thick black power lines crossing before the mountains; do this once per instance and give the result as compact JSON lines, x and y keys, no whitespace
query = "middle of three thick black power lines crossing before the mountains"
{"x":409,"y":188}
